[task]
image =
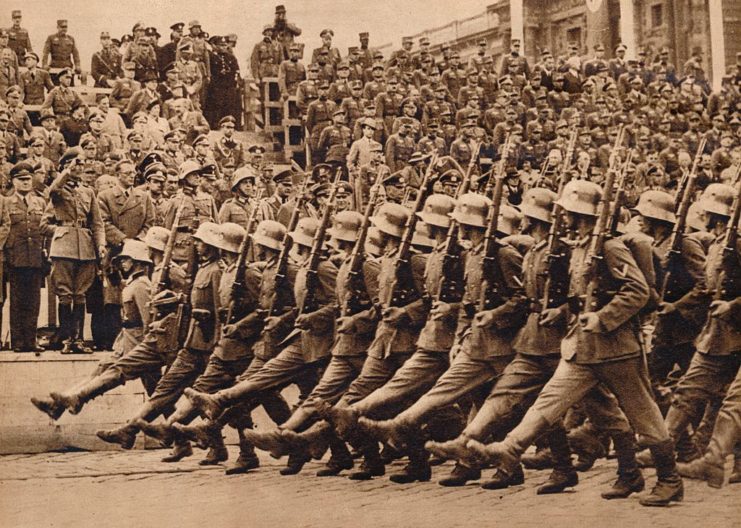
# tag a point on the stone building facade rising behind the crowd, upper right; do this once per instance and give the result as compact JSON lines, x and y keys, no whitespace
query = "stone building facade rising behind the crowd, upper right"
{"x":683,"y":26}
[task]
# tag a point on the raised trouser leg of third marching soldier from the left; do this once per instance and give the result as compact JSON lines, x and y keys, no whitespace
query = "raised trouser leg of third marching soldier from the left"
{"x":187,"y":367}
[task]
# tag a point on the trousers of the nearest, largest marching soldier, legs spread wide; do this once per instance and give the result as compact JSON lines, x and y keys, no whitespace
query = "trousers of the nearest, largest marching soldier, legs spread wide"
{"x":627,"y":379}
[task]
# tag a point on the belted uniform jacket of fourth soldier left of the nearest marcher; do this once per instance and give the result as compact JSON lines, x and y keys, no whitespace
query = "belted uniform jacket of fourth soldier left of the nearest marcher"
{"x":401,"y":338}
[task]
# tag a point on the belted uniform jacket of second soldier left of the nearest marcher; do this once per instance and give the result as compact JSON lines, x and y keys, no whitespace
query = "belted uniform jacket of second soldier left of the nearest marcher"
{"x":495,"y":340}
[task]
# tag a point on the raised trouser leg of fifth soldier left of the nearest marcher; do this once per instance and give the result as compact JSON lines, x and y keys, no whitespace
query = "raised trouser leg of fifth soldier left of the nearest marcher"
{"x":337,"y":377}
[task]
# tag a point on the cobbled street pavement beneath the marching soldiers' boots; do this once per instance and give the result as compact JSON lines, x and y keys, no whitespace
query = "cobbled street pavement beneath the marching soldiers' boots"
{"x":117,"y":489}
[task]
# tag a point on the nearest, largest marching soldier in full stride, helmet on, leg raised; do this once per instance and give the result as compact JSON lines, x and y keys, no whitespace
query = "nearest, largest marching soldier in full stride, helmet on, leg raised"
{"x":600,"y":346}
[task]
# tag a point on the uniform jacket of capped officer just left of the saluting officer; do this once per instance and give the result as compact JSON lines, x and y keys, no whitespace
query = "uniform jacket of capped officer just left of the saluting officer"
{"x":24,"y":245}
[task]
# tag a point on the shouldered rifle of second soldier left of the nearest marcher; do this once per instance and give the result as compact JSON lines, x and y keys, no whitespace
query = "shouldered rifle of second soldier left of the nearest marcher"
{"x":489,"y":277}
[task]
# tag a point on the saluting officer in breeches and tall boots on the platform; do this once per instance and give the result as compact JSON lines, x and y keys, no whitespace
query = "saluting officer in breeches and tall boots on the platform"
{"x":73,"y":220}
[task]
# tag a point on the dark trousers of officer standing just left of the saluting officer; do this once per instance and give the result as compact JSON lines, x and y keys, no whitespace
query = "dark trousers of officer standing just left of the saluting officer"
{"x":25,"y":301}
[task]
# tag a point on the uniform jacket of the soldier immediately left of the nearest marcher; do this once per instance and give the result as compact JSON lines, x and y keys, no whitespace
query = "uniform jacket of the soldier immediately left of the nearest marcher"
{"x":534,"y":339}
